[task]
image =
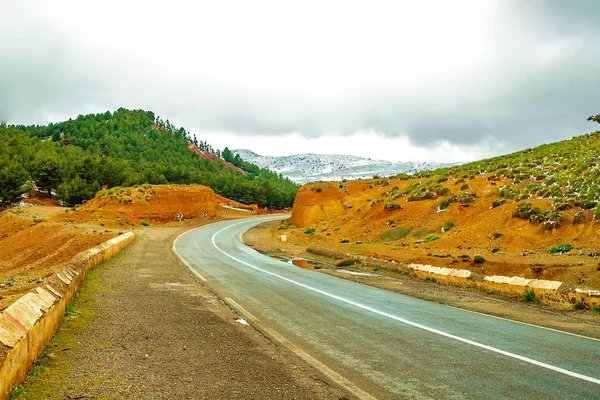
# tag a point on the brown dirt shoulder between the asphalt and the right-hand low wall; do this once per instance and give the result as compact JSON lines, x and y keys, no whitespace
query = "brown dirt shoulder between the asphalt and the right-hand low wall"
{"x":262,"y":238}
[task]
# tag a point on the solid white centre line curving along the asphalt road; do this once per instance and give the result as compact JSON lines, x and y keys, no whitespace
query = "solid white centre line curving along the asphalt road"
{"x":405,"y":321}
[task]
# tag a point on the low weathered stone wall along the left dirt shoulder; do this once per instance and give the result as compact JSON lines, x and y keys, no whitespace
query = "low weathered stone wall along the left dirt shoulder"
{"x":29,"y":323}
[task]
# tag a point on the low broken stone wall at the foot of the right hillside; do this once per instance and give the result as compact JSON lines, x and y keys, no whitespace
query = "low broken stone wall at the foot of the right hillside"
{"x":554,"y":293}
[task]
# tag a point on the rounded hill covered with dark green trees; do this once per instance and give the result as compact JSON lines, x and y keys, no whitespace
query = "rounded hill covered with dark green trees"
{"x":78,"y":157}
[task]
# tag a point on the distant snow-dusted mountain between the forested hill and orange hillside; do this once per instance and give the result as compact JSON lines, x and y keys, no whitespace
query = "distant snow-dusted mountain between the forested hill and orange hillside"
{"x":303,"y":168}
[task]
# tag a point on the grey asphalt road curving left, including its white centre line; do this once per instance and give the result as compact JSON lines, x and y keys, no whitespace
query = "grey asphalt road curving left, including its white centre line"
{"x":387,"y":344}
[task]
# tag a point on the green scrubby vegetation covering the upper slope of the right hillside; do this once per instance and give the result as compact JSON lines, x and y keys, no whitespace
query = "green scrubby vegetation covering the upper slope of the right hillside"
{"x":566,"y":172}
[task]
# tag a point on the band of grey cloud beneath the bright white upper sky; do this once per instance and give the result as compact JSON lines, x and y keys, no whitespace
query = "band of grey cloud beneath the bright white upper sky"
{"x":514,"y":102}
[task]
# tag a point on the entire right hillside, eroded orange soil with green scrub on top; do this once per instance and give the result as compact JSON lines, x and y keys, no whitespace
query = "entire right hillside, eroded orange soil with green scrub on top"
{"x":515,"y":211}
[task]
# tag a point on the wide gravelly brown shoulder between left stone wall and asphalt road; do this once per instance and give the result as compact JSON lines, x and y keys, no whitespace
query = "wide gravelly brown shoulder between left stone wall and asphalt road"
{"x":142,"y":327}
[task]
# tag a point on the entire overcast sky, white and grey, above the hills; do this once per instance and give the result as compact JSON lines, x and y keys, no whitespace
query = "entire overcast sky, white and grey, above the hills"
{"x":396,"y":80}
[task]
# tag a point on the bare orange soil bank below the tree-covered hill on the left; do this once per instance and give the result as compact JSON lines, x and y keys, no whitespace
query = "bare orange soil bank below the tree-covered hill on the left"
{"x":36,"y":241}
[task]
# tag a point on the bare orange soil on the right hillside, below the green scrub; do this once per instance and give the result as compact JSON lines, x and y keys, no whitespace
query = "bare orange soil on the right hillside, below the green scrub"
{"x":355,"y":211}
